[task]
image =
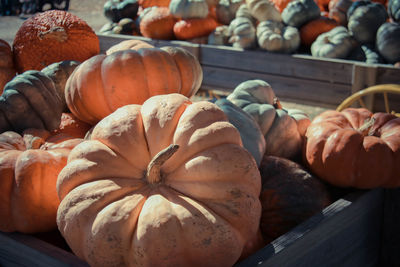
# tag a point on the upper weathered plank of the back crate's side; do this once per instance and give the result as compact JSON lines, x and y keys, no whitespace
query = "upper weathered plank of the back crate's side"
{"x":304,"y":67}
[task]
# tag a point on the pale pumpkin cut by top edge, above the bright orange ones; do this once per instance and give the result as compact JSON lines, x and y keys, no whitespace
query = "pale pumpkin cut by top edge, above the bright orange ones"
{"x":188,"y":9}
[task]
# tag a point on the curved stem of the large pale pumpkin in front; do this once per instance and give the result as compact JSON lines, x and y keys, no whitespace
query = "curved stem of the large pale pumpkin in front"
{"x":153,"y":174}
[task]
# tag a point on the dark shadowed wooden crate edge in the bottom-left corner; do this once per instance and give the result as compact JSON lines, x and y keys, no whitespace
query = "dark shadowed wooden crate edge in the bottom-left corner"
{"x":24,"y":250}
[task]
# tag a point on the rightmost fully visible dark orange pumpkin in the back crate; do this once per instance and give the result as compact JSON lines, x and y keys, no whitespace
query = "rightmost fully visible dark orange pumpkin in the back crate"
{"x":312,"y":29}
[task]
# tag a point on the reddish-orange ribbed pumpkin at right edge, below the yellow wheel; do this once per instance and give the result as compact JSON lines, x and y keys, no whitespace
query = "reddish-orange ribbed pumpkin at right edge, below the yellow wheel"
{"x":342,"y":153}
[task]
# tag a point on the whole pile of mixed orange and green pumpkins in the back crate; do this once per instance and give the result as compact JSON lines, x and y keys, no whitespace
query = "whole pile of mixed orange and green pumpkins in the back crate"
{"x":360,"y":30}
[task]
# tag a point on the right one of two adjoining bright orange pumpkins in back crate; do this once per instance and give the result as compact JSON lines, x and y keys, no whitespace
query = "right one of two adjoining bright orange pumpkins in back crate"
{"x":193,"y":28}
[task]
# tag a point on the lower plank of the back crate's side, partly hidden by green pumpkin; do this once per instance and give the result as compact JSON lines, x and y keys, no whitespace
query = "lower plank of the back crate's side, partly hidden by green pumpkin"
{"x":310,"y":92}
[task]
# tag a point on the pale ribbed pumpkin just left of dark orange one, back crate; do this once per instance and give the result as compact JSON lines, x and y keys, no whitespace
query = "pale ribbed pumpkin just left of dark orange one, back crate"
{"x":274,"y":36}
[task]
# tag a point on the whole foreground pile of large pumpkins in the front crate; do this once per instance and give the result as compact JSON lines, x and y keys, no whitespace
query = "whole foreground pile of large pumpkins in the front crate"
{"x":110,"y":150}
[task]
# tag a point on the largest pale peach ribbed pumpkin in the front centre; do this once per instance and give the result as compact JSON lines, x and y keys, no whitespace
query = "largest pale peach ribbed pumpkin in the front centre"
{"x":205,"y":193}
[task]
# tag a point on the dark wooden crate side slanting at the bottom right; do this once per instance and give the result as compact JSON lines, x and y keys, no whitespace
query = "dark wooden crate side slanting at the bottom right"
{"x":346,"y":233}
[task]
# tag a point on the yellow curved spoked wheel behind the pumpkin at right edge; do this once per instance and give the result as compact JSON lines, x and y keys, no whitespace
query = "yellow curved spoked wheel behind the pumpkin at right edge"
{"x":383,"y":89}
